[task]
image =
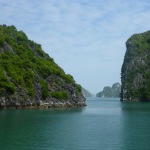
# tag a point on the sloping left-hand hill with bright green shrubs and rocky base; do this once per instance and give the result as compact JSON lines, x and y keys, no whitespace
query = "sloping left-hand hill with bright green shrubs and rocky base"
{"x":29,"y":77}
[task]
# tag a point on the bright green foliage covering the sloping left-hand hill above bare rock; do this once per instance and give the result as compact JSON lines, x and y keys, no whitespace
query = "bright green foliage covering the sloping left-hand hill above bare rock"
{"x":23,"y":61}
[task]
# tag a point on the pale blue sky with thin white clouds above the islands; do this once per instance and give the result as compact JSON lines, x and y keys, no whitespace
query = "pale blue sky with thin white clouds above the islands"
{"x":85,"y":37}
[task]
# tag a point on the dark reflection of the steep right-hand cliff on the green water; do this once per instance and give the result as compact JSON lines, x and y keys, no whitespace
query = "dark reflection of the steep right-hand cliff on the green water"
{"x":136,"y":125}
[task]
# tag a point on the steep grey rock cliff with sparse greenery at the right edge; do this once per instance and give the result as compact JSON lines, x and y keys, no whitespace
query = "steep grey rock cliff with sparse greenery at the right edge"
{"x":135,"y":72}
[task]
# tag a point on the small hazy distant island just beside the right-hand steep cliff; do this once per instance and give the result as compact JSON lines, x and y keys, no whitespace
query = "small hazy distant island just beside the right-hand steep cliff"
{"x":109,"y":92}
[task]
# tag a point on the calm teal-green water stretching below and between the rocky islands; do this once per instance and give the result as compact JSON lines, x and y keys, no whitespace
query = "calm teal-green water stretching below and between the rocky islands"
{"x":105,"y":124}
